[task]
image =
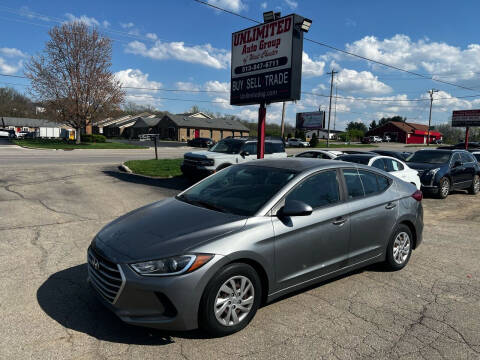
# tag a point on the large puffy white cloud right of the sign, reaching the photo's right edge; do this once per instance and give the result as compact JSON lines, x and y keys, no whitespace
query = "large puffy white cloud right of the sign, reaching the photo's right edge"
{"x":445,"y":61}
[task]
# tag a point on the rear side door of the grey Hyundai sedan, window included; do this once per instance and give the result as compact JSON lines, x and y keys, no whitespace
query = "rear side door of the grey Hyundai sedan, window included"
{"x":373,"y":213}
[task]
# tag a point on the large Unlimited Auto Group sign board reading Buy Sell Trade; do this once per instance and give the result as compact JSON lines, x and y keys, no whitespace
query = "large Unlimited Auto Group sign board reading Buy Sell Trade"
{"x":267,"y":62}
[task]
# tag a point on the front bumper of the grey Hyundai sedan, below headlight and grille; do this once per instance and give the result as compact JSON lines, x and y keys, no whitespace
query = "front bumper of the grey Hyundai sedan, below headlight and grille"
{"x":164,"y":302}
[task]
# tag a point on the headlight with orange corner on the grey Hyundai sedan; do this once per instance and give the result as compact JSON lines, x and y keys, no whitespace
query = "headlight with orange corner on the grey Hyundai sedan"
{"x":171,"y":266}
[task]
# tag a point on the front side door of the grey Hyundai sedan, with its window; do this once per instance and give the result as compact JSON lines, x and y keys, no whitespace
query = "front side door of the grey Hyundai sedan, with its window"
{"x":308,"y":247}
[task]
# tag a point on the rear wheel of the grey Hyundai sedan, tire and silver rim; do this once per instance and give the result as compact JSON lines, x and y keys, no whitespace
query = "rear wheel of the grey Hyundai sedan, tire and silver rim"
{"x":399,"y":248}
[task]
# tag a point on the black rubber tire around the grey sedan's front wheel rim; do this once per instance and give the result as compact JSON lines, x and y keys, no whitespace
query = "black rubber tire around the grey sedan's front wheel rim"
{"x":207,"y":319}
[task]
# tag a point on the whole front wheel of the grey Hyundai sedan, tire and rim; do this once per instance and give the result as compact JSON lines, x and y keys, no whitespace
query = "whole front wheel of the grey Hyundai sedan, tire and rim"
{"x":230,"y":300}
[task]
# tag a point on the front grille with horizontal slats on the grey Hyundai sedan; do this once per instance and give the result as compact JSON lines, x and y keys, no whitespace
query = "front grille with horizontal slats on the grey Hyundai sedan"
{"x":105,"y":276}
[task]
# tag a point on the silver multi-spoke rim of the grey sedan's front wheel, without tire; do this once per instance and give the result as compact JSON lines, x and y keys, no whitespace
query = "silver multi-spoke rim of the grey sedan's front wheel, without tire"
{"x":234,"y":300}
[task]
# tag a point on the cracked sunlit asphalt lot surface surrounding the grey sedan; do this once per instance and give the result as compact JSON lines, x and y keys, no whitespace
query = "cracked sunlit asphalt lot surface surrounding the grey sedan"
{"x":50,"y":210}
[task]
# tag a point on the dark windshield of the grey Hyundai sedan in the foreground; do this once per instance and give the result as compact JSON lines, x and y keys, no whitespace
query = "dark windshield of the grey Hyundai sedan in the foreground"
{"x":240,"y":189}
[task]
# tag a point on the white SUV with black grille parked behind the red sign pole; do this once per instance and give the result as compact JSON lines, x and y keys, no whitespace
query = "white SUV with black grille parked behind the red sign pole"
{"x":227,"y":152}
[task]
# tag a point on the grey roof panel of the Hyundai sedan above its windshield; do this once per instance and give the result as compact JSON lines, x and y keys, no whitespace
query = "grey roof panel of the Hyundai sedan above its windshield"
{"x":296,"y":163}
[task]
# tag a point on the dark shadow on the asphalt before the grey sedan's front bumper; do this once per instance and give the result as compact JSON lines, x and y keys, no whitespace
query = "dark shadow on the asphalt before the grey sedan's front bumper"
{"x":68,"y":299}
